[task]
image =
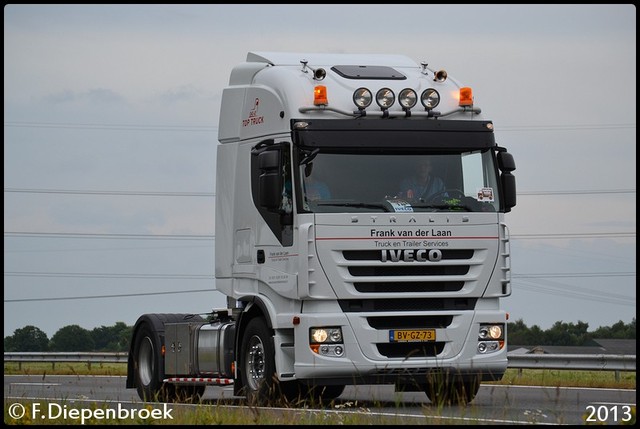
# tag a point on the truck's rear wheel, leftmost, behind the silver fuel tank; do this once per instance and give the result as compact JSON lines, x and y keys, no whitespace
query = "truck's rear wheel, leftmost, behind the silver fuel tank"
{"x":147,"y":366}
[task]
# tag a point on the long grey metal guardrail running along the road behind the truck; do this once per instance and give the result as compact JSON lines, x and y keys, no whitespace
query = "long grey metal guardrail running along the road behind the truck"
{"x":604,"y":362}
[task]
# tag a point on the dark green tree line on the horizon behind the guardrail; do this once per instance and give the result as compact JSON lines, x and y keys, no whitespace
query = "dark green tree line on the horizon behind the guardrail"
{"x":116,"y":338}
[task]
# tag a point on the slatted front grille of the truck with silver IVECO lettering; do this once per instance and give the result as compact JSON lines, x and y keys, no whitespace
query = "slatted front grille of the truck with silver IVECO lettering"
{"x":403,"y":289}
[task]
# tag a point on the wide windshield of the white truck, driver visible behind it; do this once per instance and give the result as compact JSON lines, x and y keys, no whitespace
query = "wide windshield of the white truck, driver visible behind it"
{"x":407,"y":182}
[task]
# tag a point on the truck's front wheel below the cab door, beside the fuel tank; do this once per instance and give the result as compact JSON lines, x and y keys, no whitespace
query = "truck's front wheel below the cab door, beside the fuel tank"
{"x":257,"y":365}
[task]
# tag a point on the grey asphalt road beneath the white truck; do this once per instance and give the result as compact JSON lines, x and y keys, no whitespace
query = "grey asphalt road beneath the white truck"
{"x":492,"y":405}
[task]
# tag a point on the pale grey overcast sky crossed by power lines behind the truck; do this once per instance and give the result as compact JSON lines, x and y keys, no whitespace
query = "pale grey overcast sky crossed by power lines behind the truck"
{"x":110,"y":136}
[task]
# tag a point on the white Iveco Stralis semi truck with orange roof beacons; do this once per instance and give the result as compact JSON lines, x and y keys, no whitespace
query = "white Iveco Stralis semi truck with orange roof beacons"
{"x":336,"y":275}
